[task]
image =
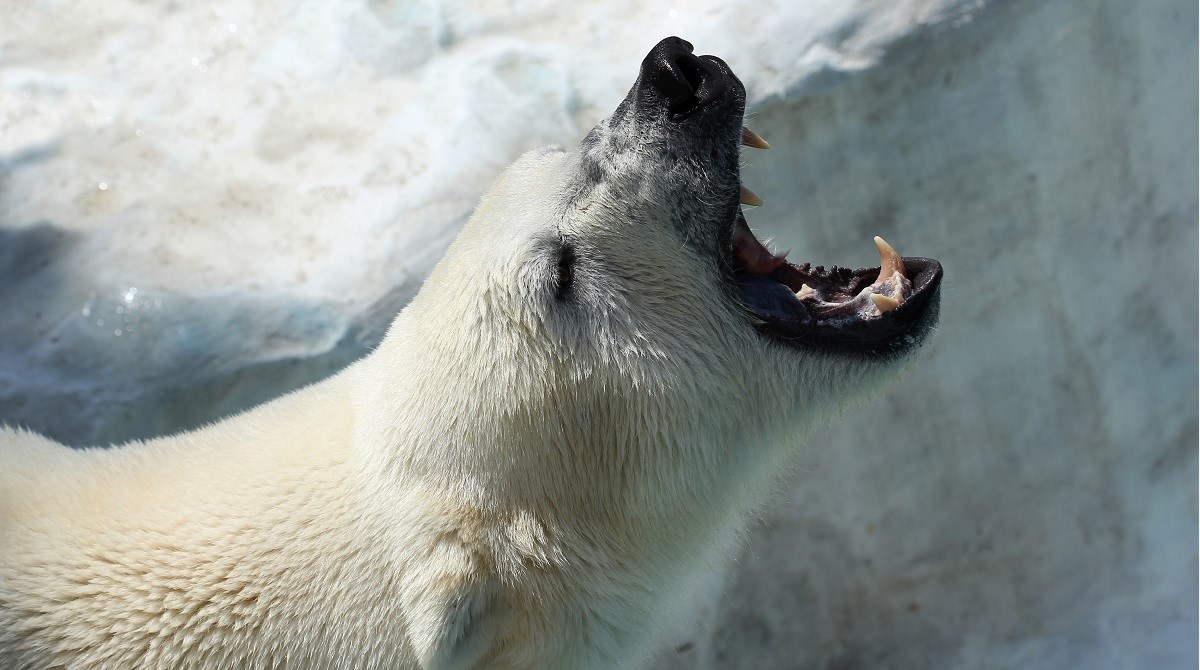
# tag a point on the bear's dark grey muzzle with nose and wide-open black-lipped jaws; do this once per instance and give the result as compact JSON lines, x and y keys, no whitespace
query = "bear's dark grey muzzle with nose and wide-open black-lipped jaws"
{"x":681,"y":131}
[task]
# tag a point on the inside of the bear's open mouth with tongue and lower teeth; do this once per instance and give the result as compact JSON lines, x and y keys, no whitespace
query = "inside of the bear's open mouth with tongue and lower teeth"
{"x":771,"y":286}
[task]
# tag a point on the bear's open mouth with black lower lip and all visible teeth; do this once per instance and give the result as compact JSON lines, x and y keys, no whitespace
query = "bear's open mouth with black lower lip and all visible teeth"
{"x":867,"y":310}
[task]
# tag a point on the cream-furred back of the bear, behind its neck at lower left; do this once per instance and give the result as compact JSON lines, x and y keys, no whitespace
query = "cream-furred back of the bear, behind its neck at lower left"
{"x":190,"y":549}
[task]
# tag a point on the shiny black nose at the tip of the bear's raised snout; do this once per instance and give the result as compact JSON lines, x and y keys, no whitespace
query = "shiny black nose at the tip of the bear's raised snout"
{"x":682,"y":81}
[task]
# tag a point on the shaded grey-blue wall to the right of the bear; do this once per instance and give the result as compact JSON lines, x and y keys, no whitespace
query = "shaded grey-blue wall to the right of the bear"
{"x":1028,"y":496}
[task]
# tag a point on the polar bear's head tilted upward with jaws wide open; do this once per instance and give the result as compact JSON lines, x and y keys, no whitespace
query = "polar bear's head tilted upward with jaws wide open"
{"x":607,"y":328}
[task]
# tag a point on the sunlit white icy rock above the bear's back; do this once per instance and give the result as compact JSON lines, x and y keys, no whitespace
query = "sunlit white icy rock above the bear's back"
{"x":291,"y":171}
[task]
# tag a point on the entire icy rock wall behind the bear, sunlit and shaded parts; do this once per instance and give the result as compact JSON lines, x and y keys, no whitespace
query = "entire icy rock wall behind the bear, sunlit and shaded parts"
{"x":201,"y":210}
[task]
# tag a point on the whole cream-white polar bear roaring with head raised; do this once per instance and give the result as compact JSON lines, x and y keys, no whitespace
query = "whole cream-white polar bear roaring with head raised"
{"x":562,"y":429}
